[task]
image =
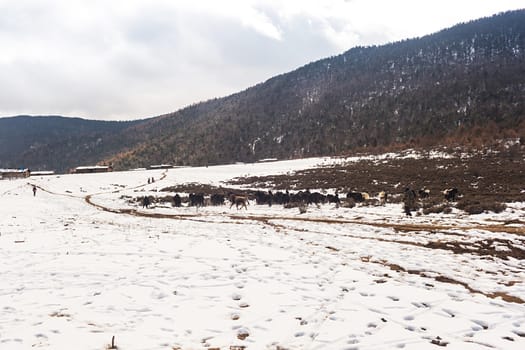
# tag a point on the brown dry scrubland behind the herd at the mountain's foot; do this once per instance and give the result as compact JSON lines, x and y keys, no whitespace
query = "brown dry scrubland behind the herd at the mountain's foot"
{"x":484,"y":179}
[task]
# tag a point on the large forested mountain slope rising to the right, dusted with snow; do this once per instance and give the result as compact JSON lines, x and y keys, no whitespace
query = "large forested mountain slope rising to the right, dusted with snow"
{"x":462,"y":85}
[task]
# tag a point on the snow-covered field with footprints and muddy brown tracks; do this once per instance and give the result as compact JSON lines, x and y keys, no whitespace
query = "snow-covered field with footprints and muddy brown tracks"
{"x":74,"y":275}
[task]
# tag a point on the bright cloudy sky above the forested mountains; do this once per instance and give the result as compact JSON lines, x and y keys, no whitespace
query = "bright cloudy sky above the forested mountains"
{"x":129,"y":59}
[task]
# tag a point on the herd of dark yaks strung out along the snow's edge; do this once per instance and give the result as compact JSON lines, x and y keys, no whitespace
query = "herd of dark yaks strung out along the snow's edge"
{"x":289,"y":200}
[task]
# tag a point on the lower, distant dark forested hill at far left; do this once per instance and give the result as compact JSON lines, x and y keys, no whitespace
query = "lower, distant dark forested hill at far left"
{"x":55,"y":142}
